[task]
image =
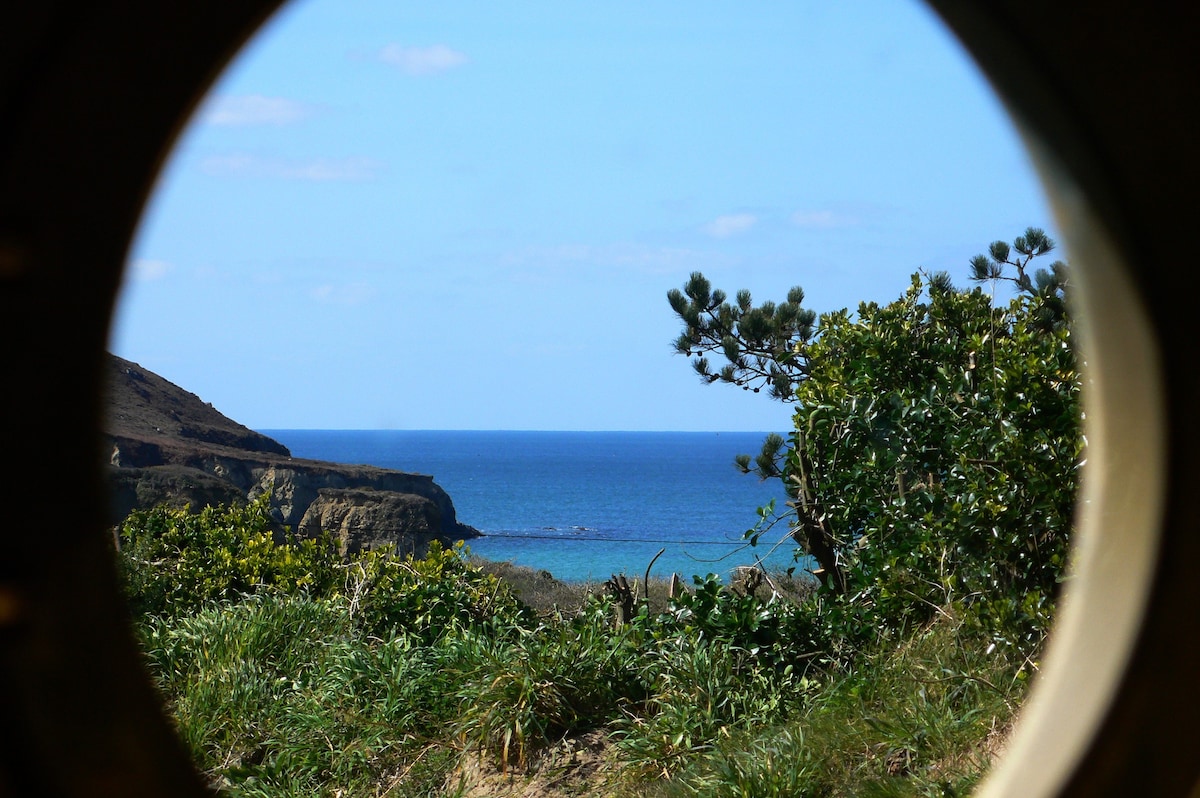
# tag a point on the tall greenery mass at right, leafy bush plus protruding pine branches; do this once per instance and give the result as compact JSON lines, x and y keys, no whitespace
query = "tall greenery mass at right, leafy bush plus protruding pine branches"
{"x":935,"y":448}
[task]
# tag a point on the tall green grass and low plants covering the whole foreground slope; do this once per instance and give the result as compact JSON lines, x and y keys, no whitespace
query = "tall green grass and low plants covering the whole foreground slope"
{"x":717,"y":693}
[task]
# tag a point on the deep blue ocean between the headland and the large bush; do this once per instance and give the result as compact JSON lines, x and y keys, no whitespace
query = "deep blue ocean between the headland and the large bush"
{"x":583,"y":506}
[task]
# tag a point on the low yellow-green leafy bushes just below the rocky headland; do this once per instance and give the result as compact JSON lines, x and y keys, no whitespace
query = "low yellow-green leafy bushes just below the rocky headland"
{"x":176,"y":562}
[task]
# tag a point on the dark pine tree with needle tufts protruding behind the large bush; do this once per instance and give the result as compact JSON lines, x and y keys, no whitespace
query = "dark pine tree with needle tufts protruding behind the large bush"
{"x":770,"y":346}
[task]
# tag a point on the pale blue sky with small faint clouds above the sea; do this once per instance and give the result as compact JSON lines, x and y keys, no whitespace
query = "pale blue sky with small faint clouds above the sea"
{"x":467,"y":215}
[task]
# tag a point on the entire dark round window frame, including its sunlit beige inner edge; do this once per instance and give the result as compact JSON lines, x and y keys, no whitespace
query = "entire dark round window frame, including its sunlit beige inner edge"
{"x":94,"y":94}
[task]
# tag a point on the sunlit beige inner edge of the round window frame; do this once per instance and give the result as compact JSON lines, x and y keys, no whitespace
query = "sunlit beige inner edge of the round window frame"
{"x":1119,"y":513}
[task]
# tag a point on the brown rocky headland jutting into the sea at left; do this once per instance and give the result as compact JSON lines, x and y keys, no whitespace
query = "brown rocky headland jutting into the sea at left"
{"x":169,"y":447}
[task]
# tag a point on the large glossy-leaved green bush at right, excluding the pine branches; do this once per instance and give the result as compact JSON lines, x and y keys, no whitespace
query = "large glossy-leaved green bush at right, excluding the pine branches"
{"x":939,"y":440}
